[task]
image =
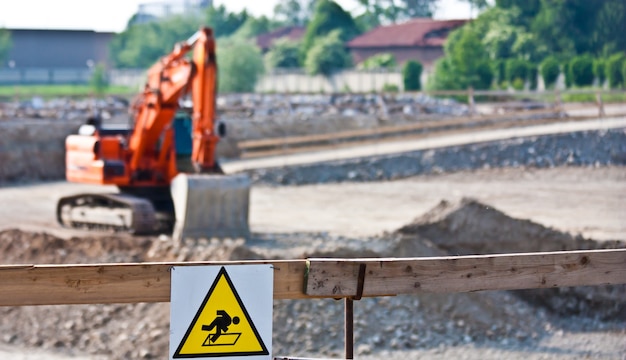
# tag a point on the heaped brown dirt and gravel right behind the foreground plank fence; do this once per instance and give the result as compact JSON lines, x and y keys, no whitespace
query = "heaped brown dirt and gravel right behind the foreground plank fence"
{"x":314,"y":328}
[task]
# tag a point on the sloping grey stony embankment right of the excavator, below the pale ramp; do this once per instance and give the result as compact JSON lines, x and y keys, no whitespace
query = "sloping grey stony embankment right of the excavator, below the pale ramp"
{"x":589,"y":148}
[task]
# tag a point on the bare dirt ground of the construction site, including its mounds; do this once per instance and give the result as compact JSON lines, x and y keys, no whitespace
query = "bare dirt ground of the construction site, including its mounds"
{"x":514,"y":209}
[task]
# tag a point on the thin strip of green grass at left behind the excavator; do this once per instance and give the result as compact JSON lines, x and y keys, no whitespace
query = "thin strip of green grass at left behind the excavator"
{"x":50,"y":91}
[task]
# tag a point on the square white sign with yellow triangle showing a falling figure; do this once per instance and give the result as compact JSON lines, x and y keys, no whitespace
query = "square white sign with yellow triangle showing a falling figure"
{"x":222,"y":325}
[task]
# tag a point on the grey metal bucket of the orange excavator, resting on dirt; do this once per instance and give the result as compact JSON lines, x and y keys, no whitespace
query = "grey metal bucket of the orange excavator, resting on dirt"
{"x":211,"y":206}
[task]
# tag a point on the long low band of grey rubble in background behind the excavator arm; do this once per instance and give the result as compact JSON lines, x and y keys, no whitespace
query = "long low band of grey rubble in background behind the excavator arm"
{"x":246,"y":106}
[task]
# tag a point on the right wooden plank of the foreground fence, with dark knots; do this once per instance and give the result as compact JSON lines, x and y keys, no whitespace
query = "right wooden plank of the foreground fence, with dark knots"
{"x":338,"y":277}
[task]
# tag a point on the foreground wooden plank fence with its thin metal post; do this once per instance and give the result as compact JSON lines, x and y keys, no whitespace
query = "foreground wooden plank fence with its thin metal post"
{"x":349,"y":279}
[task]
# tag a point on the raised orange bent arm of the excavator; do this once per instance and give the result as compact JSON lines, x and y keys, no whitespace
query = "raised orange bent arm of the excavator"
{"x":173,"y":77}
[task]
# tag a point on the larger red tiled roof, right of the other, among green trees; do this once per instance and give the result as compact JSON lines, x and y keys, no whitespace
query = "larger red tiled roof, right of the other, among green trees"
{"x":416,"y":32}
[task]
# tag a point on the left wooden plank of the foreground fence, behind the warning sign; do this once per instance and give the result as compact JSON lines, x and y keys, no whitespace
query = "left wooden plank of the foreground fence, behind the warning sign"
{"x":118,"y":283}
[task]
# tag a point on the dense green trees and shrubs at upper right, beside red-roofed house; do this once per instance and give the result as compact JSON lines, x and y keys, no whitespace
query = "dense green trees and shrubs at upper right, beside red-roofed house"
{"x":514,"y":40}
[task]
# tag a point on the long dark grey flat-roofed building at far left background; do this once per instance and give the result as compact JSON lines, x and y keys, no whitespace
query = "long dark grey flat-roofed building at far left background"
{"x":58,"y":49}
